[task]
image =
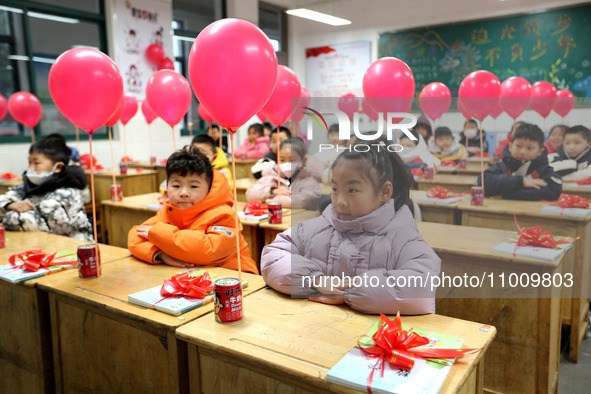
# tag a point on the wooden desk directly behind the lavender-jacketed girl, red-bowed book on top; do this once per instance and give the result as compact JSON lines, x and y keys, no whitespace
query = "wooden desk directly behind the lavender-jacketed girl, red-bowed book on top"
{"x":528,"y":327}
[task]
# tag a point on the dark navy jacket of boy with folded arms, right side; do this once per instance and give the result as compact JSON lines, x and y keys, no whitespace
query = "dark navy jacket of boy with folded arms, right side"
{"x":500,"y":181}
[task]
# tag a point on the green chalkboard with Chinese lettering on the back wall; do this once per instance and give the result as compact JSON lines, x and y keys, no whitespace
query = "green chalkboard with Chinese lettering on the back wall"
{"x":552,"y":46}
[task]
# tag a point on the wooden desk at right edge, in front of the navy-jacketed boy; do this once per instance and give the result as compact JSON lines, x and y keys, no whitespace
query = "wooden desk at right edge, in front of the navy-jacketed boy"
{"x":500,"y":214}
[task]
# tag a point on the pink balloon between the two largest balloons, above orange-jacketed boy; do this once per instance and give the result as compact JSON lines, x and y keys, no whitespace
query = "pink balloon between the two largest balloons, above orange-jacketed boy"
{"x":169,"y":95}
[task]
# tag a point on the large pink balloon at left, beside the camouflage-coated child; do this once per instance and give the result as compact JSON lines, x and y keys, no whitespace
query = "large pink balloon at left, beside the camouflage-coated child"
{"x":86,"y":86}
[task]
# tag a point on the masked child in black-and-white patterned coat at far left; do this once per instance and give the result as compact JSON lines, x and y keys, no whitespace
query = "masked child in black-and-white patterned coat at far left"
{"x":49,"y":199}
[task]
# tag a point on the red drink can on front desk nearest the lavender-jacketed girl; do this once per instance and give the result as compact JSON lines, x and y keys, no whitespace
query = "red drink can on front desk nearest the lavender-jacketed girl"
{"x":228,"y":300}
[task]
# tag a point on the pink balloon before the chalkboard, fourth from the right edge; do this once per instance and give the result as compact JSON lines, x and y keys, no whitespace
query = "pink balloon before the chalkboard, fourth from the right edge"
{"x":480,"y":92}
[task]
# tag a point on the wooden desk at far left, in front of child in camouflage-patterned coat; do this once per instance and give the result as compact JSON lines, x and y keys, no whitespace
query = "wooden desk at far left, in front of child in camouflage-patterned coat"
{"x":26,"y":362}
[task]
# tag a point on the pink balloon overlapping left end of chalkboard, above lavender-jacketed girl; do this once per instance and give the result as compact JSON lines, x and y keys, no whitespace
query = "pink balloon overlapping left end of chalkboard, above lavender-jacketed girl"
{"x":389,"y":85}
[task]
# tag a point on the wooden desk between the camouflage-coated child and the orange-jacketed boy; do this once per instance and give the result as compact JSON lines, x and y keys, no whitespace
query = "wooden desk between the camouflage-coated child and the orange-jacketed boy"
{"x":132,"y":184}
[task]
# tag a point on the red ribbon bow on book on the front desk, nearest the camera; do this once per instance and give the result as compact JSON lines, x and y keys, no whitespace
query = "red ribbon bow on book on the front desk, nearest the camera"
{"x":396,"y":346}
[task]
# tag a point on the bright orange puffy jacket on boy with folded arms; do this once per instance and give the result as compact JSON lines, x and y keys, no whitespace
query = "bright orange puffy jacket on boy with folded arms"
{"x":203,"y":234}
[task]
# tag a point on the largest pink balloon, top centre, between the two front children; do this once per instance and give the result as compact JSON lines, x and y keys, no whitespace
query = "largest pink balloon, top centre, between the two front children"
{"x":239,"y":82}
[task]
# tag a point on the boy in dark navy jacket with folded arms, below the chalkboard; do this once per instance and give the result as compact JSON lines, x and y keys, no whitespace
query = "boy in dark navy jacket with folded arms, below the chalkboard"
{"x":524,"y":173}
